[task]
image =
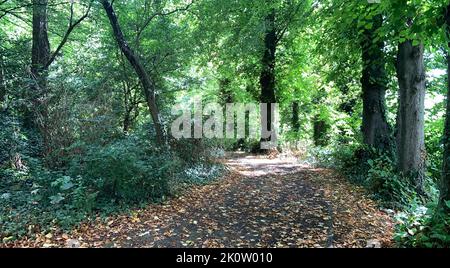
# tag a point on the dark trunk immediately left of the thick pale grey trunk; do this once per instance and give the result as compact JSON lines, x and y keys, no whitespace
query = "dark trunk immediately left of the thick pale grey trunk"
{"x":375,"y":128}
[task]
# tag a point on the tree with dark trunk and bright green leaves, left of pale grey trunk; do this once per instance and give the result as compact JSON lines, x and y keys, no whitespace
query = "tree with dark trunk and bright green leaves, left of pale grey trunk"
{"x":357,"y":28}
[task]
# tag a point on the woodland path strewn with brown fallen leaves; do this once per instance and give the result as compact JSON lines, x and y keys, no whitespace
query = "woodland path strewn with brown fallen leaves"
{"x":261,"y":202}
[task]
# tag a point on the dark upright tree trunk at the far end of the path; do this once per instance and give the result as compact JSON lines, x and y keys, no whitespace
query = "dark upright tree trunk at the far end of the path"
{"x":267,"y":78}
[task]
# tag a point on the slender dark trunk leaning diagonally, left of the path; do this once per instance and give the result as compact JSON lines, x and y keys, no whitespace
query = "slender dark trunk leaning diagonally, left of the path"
{"x":144,"y":77}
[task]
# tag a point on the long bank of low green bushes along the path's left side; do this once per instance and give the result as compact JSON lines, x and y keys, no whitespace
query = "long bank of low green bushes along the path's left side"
{"x":97,"y":178}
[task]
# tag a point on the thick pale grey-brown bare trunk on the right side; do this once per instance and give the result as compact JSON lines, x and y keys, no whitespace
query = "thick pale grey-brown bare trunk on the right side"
{"x":410,"y":120}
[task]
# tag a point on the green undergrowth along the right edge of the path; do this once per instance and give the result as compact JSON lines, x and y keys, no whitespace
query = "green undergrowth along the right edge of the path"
{"x":419,"y":222}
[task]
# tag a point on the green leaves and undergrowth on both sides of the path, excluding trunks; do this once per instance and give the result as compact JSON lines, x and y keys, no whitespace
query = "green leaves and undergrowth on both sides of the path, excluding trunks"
{"x":92,"y":148}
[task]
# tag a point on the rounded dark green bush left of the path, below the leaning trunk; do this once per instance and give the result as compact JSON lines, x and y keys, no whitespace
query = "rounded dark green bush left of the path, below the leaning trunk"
{"x":125,"y":170}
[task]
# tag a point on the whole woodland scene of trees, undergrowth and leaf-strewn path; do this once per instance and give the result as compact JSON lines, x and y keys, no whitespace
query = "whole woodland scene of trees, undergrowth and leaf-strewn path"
{"x":87,"y":96}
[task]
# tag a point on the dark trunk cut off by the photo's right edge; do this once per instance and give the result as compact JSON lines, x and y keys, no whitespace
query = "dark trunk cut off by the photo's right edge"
{"x":445,"y":180}
